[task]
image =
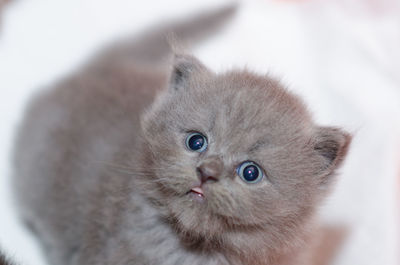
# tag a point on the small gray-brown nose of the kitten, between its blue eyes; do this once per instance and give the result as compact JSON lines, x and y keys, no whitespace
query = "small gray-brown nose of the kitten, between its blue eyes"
{"x":210,"y":169}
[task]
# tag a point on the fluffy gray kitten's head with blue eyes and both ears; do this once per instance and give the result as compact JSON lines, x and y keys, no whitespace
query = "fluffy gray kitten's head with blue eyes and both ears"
{"x":236,"y":151}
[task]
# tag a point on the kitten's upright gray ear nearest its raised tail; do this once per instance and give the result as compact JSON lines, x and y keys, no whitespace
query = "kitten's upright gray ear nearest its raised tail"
{"x":184,"y":68}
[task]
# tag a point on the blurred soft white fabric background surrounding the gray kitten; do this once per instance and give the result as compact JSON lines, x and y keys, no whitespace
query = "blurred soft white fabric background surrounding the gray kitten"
{"x":342,"y":57}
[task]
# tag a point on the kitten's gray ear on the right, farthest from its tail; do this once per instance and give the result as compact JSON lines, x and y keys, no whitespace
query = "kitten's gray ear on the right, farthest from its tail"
{"x":331,"y":144}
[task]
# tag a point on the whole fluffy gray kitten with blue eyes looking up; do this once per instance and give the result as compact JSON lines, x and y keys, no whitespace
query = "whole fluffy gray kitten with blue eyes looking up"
{"x":132,"y":162}
